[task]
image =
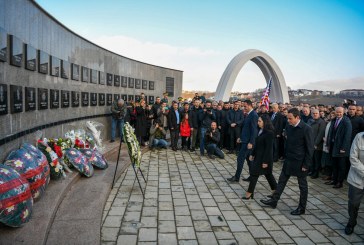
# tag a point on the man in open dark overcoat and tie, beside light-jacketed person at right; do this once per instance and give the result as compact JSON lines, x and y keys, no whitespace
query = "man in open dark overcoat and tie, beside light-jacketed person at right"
{"x":338,"y":142}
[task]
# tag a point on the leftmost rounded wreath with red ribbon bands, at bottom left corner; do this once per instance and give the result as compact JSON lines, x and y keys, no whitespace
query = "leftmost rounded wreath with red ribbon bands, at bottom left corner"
{"x":16,"y":202}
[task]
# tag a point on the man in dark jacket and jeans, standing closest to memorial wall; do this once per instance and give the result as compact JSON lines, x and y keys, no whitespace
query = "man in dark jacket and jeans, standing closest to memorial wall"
{"x":118,"y":113}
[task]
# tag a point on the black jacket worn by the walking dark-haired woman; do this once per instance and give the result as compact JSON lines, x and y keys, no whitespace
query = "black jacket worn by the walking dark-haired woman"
{"x":263,"y":153}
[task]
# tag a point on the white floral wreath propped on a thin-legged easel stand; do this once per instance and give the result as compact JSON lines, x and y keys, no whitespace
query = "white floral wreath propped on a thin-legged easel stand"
{"x":132,"y":144}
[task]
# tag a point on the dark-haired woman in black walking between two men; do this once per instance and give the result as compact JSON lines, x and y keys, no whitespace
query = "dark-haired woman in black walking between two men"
{"x":262,"y":156}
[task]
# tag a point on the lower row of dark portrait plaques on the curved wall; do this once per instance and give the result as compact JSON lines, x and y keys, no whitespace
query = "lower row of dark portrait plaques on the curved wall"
{"x":54,"y":98}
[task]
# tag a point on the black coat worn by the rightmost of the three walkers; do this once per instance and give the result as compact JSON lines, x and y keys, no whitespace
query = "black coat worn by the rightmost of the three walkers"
{"x":298,"y":149}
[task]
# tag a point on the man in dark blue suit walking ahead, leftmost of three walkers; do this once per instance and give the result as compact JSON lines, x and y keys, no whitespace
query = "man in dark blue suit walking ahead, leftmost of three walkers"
{"x":247,"y":138}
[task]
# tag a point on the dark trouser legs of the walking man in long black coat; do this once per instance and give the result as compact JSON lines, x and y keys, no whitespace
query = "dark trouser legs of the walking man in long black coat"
{"x":302,"y":184}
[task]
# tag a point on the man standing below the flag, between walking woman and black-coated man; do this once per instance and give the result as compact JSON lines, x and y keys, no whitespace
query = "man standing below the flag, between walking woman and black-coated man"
{"x":277,"y":120}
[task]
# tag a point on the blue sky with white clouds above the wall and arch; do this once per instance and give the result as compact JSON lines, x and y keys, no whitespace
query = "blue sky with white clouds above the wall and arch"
{"x":310,"y":40}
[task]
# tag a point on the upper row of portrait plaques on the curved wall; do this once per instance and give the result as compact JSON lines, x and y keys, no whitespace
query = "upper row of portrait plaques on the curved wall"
{"x":25,"y":54}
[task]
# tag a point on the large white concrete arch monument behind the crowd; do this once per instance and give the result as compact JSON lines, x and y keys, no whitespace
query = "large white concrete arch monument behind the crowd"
{"x":269,"y":68}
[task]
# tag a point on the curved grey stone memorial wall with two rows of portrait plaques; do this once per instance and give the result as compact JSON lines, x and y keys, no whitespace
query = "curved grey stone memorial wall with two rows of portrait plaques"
{"x":51,"y":79}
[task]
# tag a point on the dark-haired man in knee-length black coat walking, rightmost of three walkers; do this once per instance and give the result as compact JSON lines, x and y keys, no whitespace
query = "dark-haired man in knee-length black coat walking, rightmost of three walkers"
{"x":299,"y":151}
